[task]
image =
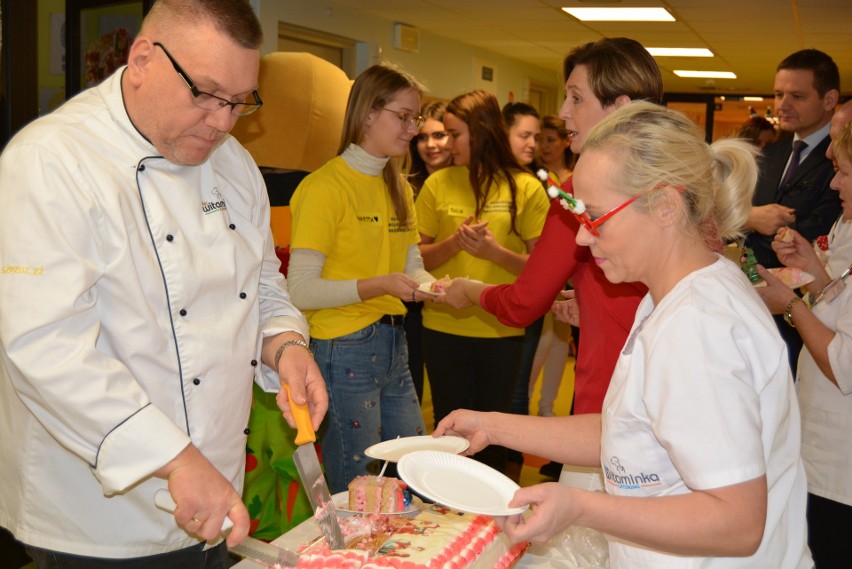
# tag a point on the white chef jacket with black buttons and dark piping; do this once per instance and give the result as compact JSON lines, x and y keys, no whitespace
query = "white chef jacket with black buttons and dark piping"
{"x":134,"y":297}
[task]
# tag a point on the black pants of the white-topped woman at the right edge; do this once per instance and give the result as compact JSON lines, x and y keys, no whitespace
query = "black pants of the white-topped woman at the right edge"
{"x":829,"y":530}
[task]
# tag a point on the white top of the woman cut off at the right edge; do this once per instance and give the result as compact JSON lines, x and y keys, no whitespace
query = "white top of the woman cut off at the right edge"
{"x":827,"y":409}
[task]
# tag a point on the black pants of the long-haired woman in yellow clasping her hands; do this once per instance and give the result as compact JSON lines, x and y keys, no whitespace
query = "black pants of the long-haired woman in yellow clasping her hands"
{"x":472,"y":373}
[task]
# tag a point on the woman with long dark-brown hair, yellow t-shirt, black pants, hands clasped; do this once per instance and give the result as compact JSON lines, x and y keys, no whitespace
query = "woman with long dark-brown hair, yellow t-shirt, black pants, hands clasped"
{"x":480,"y":219}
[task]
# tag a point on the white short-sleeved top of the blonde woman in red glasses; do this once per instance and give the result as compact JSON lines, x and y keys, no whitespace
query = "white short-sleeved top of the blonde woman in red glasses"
{"x":701,"y":398}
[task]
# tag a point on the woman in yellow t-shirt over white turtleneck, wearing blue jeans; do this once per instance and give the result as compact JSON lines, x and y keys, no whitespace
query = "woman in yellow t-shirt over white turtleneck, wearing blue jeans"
{"x":354,"y":259}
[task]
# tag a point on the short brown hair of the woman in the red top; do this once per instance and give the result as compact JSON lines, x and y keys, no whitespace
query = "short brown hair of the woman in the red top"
{"x":618,"y":66}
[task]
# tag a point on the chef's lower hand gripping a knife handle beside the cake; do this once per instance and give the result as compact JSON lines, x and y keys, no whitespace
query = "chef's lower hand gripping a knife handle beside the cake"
{"x":203,"y":498}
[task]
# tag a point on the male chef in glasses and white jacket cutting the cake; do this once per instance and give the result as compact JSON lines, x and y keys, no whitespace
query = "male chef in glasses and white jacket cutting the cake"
{"x":139,"y":298}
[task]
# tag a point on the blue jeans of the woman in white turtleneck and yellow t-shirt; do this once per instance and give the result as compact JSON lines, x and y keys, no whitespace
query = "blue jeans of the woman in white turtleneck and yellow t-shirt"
{"x":371,"y":398}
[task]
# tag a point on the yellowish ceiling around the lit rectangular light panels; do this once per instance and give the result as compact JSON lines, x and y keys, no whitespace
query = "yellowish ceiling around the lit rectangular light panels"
{"x":748,"y":37}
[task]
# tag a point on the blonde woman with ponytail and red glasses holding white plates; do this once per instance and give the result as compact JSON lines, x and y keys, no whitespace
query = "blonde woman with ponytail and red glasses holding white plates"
{"x":699,"y":436}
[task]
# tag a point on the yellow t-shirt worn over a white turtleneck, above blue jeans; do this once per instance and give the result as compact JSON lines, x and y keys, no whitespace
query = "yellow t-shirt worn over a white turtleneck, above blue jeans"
{"x":349,"y":217}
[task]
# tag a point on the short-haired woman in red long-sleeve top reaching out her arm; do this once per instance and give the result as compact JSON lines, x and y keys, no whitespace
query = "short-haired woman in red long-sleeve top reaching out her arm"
{"x":600,"y":77}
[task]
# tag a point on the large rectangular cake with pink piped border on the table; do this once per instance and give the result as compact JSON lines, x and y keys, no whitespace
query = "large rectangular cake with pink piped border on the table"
{"x":436,"y":537}
